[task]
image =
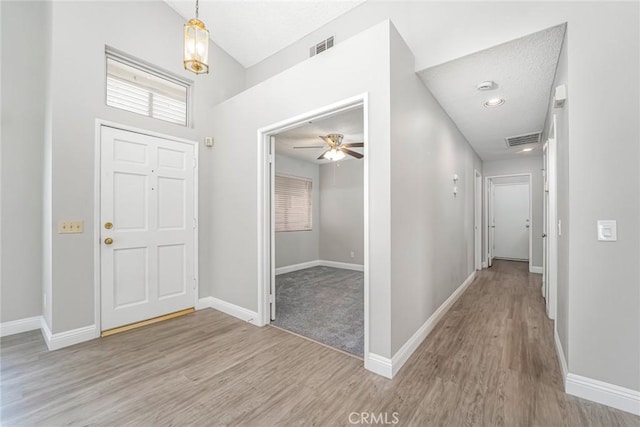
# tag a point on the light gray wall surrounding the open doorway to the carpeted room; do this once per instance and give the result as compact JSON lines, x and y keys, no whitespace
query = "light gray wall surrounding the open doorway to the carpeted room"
{"x":310,"y":85}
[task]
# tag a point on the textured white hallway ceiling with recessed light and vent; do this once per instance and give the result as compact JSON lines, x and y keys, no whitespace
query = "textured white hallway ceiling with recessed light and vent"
{"x":523,"y":69}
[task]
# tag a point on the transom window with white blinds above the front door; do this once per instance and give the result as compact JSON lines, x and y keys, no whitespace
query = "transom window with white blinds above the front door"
{"x":138,"y":88}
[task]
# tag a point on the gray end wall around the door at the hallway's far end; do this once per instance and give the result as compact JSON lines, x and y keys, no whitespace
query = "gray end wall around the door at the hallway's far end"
{"x":527,"y":164}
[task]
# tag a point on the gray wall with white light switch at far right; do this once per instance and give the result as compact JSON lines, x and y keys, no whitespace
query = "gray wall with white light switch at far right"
{"x":604,"y":183}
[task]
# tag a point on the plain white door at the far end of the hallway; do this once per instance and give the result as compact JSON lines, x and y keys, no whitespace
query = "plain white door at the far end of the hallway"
{"x":511,"y":221}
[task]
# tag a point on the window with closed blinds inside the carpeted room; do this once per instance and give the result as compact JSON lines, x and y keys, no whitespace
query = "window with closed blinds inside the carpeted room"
{"x":293,"y":202}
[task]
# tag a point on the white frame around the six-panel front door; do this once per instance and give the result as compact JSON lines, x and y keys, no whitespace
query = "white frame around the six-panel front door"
{"x":97,"y":227}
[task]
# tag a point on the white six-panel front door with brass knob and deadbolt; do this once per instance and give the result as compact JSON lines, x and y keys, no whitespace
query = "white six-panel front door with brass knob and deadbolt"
{"x":147,"y":222}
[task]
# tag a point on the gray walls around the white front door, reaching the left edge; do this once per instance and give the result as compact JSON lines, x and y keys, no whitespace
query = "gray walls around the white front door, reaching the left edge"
{"x":71,"y":97}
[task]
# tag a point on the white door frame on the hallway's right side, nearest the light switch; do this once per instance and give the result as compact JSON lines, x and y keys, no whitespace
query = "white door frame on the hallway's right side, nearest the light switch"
{"x":551,"y":241}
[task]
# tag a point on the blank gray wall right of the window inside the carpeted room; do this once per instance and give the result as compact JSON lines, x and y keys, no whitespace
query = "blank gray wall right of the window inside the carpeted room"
{"x":342,"y":211}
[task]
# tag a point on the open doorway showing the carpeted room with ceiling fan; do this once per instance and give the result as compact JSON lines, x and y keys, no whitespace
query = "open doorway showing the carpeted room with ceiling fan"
{"x":314,"y":226}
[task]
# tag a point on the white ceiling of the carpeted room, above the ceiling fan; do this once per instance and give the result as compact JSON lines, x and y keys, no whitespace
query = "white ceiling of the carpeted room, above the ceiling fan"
{"x":349,"y":123}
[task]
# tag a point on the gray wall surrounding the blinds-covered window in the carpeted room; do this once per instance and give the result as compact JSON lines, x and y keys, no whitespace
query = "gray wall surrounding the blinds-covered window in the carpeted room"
{"x":295,"y":247}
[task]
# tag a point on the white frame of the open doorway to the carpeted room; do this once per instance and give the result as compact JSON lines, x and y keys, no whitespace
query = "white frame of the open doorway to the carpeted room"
{"x":266,"y":226}
